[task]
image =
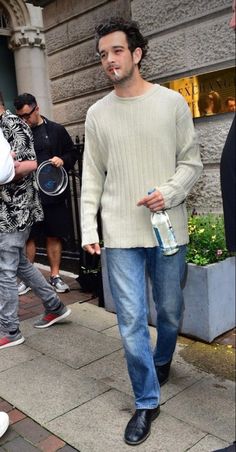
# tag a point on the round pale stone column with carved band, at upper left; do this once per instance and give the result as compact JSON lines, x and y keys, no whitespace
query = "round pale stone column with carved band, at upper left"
{"x":28,"y":45}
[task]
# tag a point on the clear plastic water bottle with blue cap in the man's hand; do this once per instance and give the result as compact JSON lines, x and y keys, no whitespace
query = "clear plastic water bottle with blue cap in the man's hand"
{"x":164,"y":231}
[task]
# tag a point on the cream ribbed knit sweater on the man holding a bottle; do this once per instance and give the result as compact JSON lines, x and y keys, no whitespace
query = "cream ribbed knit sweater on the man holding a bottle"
{"x":131,"y":146}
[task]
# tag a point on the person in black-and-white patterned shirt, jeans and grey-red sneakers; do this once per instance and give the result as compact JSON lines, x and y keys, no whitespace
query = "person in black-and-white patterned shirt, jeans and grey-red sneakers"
{"x":20,"y":208}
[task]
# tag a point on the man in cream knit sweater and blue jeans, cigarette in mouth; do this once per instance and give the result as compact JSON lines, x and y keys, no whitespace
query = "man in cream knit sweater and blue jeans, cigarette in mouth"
{"x":138,"y":137}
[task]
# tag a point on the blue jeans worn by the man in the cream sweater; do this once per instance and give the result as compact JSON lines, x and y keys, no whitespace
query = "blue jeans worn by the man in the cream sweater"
{"x":127,"y":276}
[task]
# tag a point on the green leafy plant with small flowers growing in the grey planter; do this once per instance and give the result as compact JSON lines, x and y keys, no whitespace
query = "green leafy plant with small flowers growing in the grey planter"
{"x":206,"y":239}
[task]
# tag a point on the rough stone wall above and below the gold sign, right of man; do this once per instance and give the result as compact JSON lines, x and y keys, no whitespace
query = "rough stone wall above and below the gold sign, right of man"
{"x":187,"y":38}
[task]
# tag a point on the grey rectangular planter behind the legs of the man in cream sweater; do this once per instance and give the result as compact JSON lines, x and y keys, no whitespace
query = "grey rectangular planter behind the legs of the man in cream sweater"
{"x":209,"y":298}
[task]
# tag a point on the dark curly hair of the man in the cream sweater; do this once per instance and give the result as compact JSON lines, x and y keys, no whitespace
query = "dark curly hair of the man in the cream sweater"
{"x":130,"y":28}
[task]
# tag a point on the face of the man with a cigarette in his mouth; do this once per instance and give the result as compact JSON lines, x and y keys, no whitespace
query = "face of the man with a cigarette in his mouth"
{"x":118,"y":62}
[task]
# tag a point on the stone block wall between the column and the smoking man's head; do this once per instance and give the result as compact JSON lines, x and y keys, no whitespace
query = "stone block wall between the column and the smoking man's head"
{"x":74,"y":70}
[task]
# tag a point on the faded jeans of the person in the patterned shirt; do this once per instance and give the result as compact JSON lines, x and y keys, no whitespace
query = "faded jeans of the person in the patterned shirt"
{"x":13,"y":263}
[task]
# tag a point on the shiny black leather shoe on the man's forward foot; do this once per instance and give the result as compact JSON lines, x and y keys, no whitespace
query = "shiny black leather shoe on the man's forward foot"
{"x":139,"y":426}
